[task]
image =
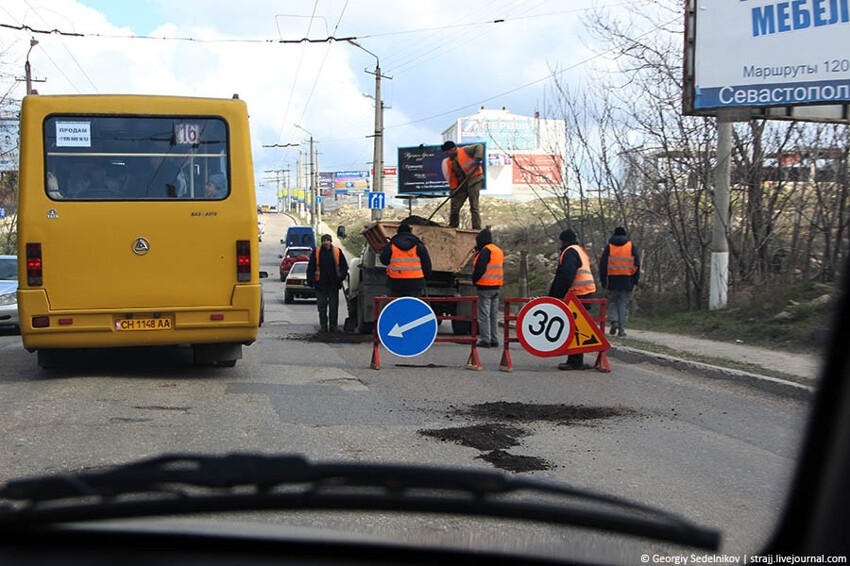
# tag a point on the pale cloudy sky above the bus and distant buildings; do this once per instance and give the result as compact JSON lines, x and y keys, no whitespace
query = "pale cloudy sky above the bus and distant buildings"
{"x":440,"y":61}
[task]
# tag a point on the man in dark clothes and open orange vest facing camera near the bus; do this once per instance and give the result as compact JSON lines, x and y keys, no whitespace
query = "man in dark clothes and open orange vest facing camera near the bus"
{"x":326,"y":271}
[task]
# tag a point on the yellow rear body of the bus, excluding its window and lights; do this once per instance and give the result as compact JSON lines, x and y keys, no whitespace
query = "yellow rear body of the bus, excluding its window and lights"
{"x":92,"y":276}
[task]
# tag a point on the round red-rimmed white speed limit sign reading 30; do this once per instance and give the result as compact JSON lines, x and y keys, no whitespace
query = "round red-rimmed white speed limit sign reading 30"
{"x":545,"y":326}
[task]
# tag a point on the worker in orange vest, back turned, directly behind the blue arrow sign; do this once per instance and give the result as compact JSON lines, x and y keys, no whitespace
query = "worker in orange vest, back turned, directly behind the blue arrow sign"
{"x":408,"y":263}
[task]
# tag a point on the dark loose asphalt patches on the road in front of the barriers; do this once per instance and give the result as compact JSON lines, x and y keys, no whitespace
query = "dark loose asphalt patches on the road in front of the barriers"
{"x":494,"y":437}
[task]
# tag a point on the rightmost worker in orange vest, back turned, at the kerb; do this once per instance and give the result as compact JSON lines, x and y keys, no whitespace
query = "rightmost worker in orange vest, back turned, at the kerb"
{"x":619,"y":272}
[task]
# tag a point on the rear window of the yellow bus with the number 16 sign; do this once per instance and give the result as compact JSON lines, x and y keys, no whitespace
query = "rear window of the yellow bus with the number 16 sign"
{"x":136,"y":158}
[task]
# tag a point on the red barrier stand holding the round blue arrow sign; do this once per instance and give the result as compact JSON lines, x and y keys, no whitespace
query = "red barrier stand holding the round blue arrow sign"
{"x":407,"y":327}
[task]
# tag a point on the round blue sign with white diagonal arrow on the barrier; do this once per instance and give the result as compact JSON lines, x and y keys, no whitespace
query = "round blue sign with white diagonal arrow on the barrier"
{"x":407,"y":327}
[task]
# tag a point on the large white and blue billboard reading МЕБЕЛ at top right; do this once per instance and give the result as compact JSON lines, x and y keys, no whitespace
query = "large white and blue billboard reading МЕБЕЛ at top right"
{"x":768,"y":54}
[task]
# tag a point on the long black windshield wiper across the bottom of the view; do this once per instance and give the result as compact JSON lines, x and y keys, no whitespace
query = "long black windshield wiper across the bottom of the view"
{"x":181,"y":484}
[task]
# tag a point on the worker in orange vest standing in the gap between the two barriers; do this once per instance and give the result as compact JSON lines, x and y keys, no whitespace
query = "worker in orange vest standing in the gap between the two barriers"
{"x":488,"y":274}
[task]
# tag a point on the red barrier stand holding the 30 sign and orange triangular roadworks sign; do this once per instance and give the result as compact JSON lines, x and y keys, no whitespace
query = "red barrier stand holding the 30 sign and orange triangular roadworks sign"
{"x":548,"y":327}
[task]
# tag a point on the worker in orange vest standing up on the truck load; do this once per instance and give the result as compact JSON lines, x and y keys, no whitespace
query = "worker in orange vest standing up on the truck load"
{"x":462,"y":169}
